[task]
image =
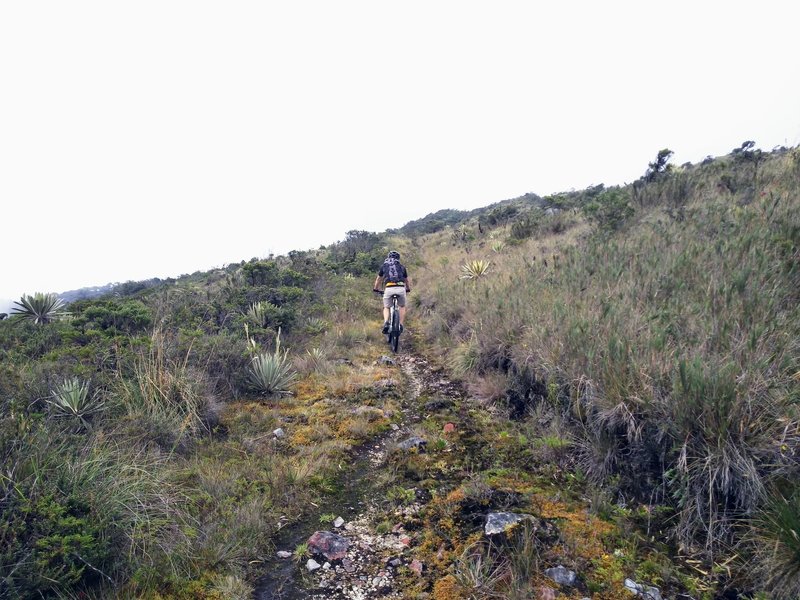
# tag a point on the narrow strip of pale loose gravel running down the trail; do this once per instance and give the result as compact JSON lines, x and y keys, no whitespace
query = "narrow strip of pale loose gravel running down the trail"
{"x":374,"y":561}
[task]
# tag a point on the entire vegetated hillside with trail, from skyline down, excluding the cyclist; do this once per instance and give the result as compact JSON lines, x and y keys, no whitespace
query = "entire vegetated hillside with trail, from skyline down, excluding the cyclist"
{"x":596,"y":395}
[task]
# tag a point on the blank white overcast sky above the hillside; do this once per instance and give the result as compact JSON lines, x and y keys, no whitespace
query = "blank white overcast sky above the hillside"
{"x":155,"y":138}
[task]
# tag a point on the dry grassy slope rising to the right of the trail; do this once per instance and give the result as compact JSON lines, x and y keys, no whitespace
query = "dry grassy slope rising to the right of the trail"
{"x":653,"y":329}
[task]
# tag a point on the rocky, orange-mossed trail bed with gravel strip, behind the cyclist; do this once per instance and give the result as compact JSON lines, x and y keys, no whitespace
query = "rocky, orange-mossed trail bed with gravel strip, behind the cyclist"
{"x":439,"y":495}
